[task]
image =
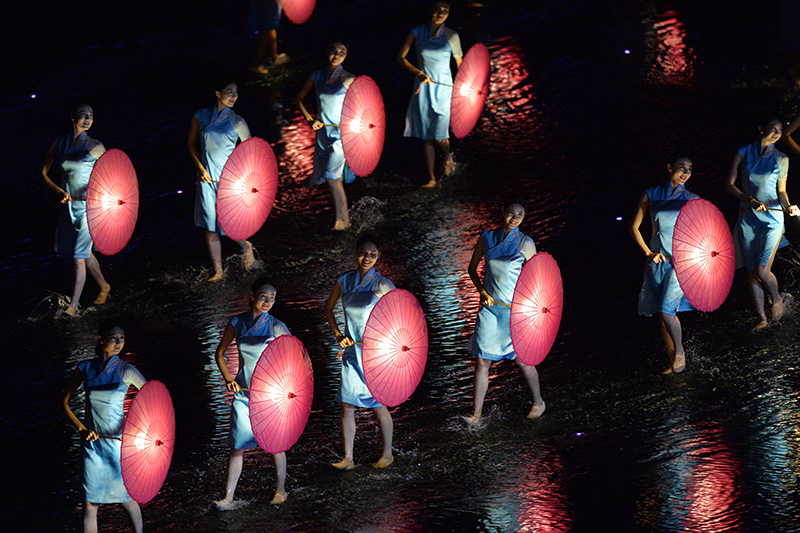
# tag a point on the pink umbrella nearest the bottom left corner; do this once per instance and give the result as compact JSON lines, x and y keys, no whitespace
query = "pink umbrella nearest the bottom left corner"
{"x":147,"y":441}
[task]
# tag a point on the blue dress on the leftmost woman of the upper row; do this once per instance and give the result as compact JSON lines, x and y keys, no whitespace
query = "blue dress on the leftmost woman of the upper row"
{"x":75,"y":163}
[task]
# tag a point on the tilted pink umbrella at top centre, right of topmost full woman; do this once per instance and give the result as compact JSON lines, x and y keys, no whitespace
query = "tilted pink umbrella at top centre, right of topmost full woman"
{"x":470,"y":89}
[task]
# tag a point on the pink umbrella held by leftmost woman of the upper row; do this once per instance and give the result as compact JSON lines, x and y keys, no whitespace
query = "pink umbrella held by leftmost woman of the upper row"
{"x":112,"y":201}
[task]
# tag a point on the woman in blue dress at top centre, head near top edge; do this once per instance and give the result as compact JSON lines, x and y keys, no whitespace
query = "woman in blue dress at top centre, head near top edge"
{"x":428,"y":115}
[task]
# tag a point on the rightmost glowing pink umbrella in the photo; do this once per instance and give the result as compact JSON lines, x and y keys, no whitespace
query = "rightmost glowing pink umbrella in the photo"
{"x":703,"y":254}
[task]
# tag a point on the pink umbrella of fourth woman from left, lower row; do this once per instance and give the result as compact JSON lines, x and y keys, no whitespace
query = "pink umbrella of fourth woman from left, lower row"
{"x":536,"y":308}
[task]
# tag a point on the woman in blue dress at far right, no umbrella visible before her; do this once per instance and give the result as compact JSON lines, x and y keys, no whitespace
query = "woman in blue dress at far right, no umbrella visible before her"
{"x":759,"y":230}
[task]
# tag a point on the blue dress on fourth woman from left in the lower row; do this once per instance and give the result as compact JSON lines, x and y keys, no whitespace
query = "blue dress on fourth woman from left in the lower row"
{"x":503,"y":260}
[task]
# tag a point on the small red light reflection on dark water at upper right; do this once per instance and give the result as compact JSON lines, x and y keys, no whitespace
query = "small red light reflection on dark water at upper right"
{"x":671,"y":60}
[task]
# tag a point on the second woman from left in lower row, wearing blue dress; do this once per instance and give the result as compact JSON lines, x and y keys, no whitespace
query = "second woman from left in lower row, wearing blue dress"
{"x":253,"y":330}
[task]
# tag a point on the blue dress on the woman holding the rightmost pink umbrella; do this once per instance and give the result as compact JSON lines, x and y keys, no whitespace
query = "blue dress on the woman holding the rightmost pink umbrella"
{"x":660,"y":291}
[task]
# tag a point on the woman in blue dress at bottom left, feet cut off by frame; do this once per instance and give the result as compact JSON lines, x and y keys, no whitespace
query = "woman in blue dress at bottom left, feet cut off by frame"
{"x":105,"y":380}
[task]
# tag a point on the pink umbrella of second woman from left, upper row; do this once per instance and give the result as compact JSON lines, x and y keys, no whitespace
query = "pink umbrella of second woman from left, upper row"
{"x":247,"y":188}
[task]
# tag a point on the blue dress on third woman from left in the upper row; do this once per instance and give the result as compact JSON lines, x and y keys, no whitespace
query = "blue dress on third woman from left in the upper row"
{"x":329,"y":162}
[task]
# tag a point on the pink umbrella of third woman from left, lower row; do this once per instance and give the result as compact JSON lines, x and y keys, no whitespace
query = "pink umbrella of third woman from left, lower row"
{"x":395,"y":347}
